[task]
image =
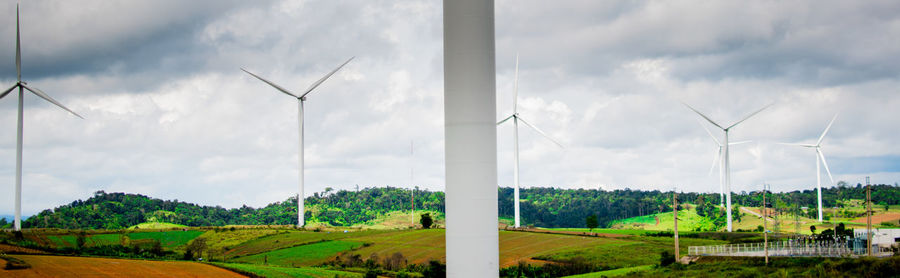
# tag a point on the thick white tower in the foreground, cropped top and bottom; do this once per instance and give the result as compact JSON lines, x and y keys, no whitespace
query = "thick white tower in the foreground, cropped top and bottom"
{"x":470,"y":136}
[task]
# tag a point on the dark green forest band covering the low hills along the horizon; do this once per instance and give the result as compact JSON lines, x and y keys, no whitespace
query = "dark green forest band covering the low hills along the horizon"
{"x":540,"y":206}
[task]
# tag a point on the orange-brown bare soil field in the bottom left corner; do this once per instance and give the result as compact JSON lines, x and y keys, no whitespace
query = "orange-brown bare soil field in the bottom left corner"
{"x":59,"y":266}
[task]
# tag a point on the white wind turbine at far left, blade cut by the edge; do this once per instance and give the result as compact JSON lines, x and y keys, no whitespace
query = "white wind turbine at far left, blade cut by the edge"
{"x":17,"y":223}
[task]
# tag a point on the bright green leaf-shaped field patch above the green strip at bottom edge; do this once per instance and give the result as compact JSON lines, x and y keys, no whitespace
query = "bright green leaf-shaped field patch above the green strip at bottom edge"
{"x":303,"y":255}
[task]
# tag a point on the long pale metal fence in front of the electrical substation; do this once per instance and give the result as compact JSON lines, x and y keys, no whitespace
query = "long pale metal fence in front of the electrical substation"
{"x":787,"y":249}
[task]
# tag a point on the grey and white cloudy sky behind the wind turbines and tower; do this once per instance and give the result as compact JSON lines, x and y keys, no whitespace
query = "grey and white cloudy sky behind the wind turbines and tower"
{"x":169,"y":114}
